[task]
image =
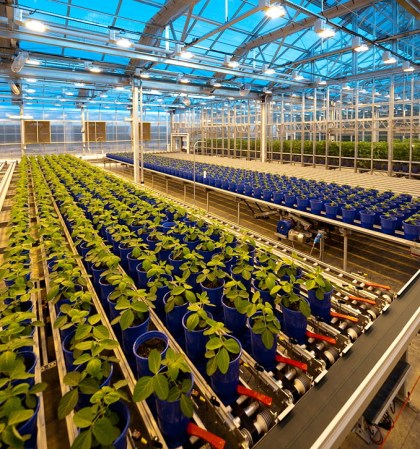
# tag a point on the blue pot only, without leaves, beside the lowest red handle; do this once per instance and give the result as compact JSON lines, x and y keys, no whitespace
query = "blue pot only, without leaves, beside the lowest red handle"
{"x":172,"y":423}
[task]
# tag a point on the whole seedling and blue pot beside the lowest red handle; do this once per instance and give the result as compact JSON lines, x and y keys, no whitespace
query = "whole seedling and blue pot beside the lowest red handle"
{"x":171,"y":382}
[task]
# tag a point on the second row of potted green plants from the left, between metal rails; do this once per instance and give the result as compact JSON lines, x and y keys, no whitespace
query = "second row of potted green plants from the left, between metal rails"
{"x":97,"y":403}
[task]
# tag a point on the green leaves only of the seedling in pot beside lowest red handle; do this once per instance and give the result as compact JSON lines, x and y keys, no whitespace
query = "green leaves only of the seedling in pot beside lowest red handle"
{"x":170,"y":381}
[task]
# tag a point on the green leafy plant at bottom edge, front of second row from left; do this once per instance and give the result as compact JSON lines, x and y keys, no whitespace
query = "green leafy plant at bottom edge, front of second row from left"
{"x":98,"y":422}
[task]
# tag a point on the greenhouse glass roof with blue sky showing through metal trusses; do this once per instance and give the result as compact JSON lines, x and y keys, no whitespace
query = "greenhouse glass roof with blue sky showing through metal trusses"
{"x":230,"y":44}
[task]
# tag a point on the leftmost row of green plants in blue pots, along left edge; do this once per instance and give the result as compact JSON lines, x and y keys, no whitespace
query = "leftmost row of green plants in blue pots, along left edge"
{"x":19,"y":394}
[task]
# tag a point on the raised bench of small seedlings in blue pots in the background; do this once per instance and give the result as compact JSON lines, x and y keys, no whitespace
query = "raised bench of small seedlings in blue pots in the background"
{"x":368,"y":208}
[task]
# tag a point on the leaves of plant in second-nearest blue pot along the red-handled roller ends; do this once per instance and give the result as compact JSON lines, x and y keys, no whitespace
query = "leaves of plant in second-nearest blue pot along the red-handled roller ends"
{"x":219,"y":347}
